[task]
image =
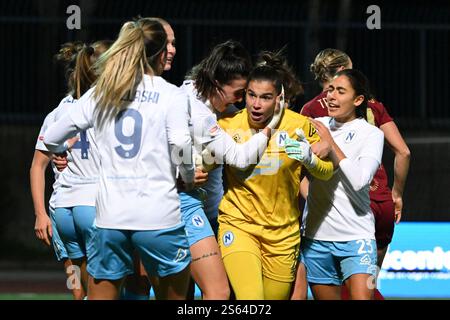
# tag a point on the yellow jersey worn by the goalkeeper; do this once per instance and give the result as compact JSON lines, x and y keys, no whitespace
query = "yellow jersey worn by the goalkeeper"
{"x":267,"y":193}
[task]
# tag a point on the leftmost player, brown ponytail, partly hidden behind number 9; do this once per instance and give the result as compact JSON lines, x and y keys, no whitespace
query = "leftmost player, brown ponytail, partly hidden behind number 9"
{"x":75,"y":233}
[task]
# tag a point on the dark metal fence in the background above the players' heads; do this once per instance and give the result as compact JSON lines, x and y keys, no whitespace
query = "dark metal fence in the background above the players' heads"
{"x":407,"y":60}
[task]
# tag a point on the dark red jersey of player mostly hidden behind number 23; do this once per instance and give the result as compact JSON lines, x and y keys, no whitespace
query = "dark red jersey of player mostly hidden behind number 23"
{"x":376,"y":115}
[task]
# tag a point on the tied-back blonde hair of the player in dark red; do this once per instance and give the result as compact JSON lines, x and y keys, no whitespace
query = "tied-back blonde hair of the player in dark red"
{"x":327,"y":63}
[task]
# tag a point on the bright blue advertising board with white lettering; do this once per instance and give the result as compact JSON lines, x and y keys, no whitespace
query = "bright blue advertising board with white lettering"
{"x":417,"y":264}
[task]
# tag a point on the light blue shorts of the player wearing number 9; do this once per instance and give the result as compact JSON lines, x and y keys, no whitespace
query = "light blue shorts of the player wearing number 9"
{"x":163,"y":252}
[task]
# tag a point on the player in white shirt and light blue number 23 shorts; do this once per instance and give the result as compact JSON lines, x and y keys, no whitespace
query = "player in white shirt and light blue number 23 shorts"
{"x":339,"y":227}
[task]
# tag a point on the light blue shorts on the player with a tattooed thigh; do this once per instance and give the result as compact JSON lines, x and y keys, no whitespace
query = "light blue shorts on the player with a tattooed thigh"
{"x":193,"y":214}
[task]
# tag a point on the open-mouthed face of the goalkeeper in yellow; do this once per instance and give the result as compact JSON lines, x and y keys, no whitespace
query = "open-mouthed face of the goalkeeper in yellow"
{"x":260,"y":102}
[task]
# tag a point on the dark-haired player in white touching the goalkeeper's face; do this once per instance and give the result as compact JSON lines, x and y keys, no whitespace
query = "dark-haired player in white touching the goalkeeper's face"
{"x":215,"y":83}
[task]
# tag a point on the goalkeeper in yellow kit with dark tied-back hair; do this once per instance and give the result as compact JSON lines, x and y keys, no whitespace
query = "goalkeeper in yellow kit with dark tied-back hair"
{"x":259,"y":234}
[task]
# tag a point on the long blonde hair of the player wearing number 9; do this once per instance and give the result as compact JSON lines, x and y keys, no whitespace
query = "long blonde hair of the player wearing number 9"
{"x":122,"y":67}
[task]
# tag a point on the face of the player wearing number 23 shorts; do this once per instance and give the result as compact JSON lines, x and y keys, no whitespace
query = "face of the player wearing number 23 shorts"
{"x":342,"y":101}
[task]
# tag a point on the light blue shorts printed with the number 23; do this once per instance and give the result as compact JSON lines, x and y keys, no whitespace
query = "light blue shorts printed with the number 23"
{"x":332,"y":262}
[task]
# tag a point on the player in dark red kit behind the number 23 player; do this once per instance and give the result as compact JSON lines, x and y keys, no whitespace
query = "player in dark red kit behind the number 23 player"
{"x":386,"y":204}
